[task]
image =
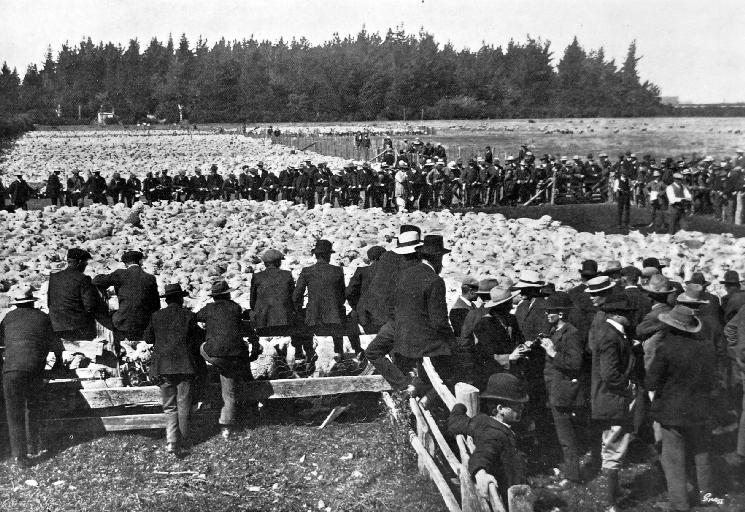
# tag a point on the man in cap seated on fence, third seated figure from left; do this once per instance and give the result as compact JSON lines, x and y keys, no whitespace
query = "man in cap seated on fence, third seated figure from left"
{"x":272,"y":310}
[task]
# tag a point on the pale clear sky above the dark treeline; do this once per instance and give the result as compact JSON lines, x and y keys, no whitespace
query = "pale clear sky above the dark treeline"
{"x":692,"y":49}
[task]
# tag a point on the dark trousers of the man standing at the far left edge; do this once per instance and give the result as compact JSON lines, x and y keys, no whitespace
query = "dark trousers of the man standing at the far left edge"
{"x":23,"y":392}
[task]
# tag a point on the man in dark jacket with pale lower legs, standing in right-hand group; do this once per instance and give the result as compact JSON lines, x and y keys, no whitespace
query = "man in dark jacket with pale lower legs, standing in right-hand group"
{"x":613,"y":368}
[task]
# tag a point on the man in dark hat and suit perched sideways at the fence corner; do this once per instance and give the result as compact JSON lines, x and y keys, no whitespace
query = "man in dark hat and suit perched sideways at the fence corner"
{"x":420,"y":320}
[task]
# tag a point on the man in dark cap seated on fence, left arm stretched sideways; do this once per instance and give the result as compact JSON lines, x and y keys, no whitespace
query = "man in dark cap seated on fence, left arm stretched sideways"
{"x":137,"y":292}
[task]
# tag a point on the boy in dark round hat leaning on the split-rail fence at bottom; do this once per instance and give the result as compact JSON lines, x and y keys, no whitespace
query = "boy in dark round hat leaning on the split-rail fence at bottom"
{"x":496,"y":459}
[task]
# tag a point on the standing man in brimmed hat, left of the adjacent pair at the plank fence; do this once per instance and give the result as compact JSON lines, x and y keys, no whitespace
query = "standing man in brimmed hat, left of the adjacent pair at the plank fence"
{"x":176,"y":337}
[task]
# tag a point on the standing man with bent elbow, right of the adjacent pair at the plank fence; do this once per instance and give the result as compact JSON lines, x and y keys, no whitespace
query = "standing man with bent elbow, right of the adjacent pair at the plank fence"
{"x":226,"y":326}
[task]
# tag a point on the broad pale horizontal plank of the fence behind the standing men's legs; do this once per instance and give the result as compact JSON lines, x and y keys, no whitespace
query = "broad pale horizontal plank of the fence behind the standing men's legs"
{"x":255,"y":390}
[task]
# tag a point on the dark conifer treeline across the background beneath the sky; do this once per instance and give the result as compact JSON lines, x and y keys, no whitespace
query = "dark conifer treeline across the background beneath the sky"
{"x":366,"y":77}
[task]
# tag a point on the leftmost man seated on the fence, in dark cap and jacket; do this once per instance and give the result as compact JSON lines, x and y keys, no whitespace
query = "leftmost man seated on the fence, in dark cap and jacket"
{"x":72,"y":300}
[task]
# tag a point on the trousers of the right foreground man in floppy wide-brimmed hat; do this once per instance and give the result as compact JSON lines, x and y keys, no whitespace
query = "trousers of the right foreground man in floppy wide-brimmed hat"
{"x":679,"y":444}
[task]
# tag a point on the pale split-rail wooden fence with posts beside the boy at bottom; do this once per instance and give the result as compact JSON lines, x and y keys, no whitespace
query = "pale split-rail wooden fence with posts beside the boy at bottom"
{"x":430,"y":445}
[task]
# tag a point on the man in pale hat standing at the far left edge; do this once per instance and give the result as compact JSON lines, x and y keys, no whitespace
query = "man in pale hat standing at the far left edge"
{"x":27,"y":335}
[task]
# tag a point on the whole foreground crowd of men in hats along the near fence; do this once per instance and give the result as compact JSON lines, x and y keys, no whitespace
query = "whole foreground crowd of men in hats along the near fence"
{"x":628,"y":357}
